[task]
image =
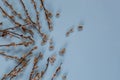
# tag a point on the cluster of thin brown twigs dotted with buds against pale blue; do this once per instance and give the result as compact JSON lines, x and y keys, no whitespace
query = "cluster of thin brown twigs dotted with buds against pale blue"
{"x":26,"y":34}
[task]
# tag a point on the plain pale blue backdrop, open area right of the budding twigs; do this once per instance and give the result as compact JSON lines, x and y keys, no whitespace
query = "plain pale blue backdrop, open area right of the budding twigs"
{"x":94,"y":53}
